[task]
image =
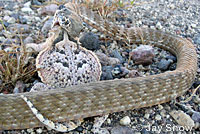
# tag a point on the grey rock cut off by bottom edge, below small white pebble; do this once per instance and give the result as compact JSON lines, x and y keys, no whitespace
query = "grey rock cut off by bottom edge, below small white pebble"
{"x":122,"y":130}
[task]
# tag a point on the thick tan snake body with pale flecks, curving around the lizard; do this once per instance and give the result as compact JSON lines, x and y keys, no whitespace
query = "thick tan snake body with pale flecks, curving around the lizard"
{"x":104,"y":97}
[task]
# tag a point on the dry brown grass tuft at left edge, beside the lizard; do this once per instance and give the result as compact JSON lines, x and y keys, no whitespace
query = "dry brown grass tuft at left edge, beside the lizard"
{"x":15,"y":64}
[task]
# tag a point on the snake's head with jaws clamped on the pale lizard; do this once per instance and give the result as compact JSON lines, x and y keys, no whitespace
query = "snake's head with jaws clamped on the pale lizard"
{"x":68,"y":20}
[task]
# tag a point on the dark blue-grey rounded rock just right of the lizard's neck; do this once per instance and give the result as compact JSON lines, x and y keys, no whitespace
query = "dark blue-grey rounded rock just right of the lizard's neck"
{"x":90,"y":41}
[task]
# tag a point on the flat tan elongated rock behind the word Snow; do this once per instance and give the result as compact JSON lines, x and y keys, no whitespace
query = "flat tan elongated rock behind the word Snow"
{"x":182,"y":118}
